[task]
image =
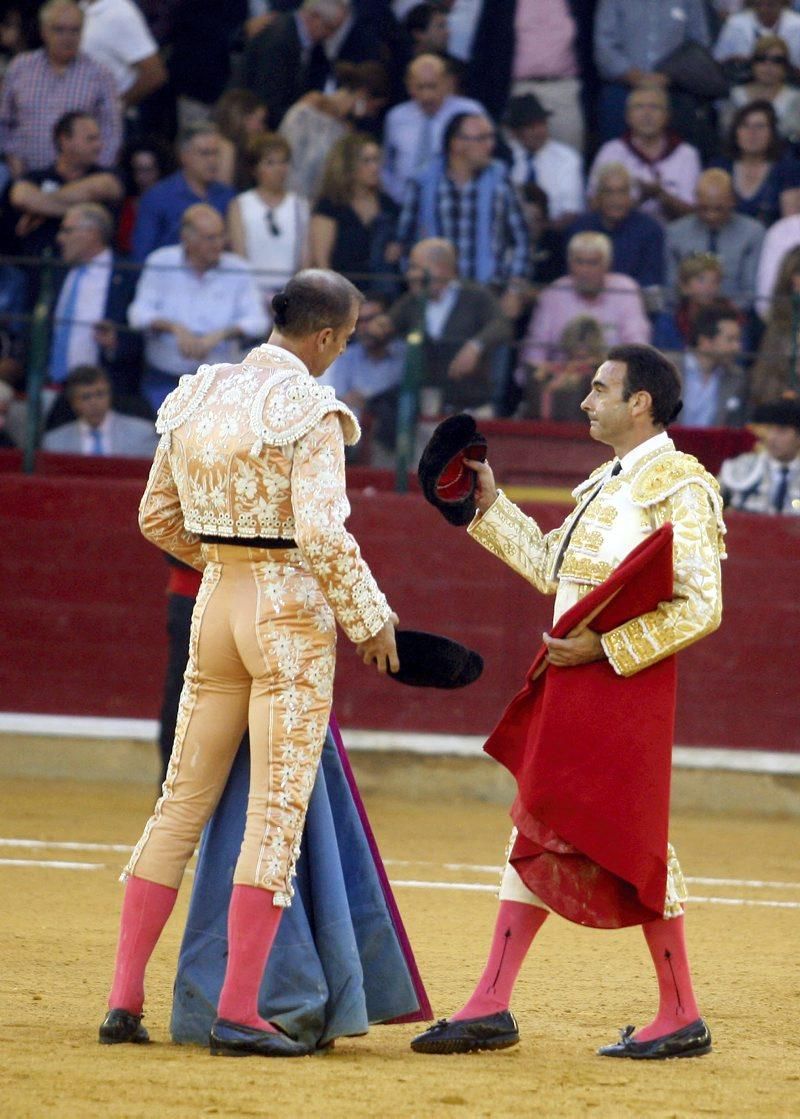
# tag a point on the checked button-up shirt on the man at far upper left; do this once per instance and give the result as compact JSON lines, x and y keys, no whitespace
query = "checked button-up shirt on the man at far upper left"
{"x":35,"y":96}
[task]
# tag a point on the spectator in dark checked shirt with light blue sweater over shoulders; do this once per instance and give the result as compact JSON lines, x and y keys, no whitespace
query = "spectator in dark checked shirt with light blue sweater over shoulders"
{"x":465,"y":196}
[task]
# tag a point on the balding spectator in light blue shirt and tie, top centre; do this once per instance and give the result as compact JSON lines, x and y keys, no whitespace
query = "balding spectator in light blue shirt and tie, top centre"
{"x":415,"y":130}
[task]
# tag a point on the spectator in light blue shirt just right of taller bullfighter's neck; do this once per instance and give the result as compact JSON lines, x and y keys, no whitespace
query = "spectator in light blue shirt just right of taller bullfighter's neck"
{"x":368,"y":377}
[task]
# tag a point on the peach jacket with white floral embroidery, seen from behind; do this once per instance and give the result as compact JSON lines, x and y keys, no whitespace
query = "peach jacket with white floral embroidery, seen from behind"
{"x":258,"y":450}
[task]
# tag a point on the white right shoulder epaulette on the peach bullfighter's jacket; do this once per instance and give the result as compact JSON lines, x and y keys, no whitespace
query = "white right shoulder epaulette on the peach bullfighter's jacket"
{"x":290,"y":405}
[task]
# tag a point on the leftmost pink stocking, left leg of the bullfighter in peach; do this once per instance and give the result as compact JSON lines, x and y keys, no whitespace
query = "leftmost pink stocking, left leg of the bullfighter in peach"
{"x":146,"y":908}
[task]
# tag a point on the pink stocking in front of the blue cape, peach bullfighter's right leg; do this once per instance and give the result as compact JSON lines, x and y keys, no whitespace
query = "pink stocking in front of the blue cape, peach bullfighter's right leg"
{"x":253,"y":921}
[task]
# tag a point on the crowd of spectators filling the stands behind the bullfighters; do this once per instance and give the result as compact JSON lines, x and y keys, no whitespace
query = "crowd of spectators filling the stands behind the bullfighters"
{"x":521,"y":184}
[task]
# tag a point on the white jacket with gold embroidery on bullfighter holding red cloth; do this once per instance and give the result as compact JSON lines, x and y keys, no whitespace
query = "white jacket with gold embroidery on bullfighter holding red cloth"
{"x":613,"y":515}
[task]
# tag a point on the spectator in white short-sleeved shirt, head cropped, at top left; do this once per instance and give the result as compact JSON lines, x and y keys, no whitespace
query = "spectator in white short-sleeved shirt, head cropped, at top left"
{"x":117,"y":36}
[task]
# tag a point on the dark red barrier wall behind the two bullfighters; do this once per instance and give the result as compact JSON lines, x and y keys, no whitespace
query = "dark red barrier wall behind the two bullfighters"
{"x":83,"y":616}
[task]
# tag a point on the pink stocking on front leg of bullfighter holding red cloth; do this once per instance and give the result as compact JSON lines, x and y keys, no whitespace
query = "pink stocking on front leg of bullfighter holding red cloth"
{"x":517,"y":925}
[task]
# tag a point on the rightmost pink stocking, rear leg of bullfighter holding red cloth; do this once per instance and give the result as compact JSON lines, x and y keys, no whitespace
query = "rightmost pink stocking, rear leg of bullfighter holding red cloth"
{"x":676,"y":1000}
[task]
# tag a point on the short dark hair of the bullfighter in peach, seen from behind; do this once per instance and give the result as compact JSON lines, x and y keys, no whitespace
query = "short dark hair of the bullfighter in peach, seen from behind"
{"x":313,"y":300}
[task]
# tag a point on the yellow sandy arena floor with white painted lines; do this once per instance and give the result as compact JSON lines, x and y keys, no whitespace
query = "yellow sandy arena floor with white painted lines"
{"x":59,"y":930}
